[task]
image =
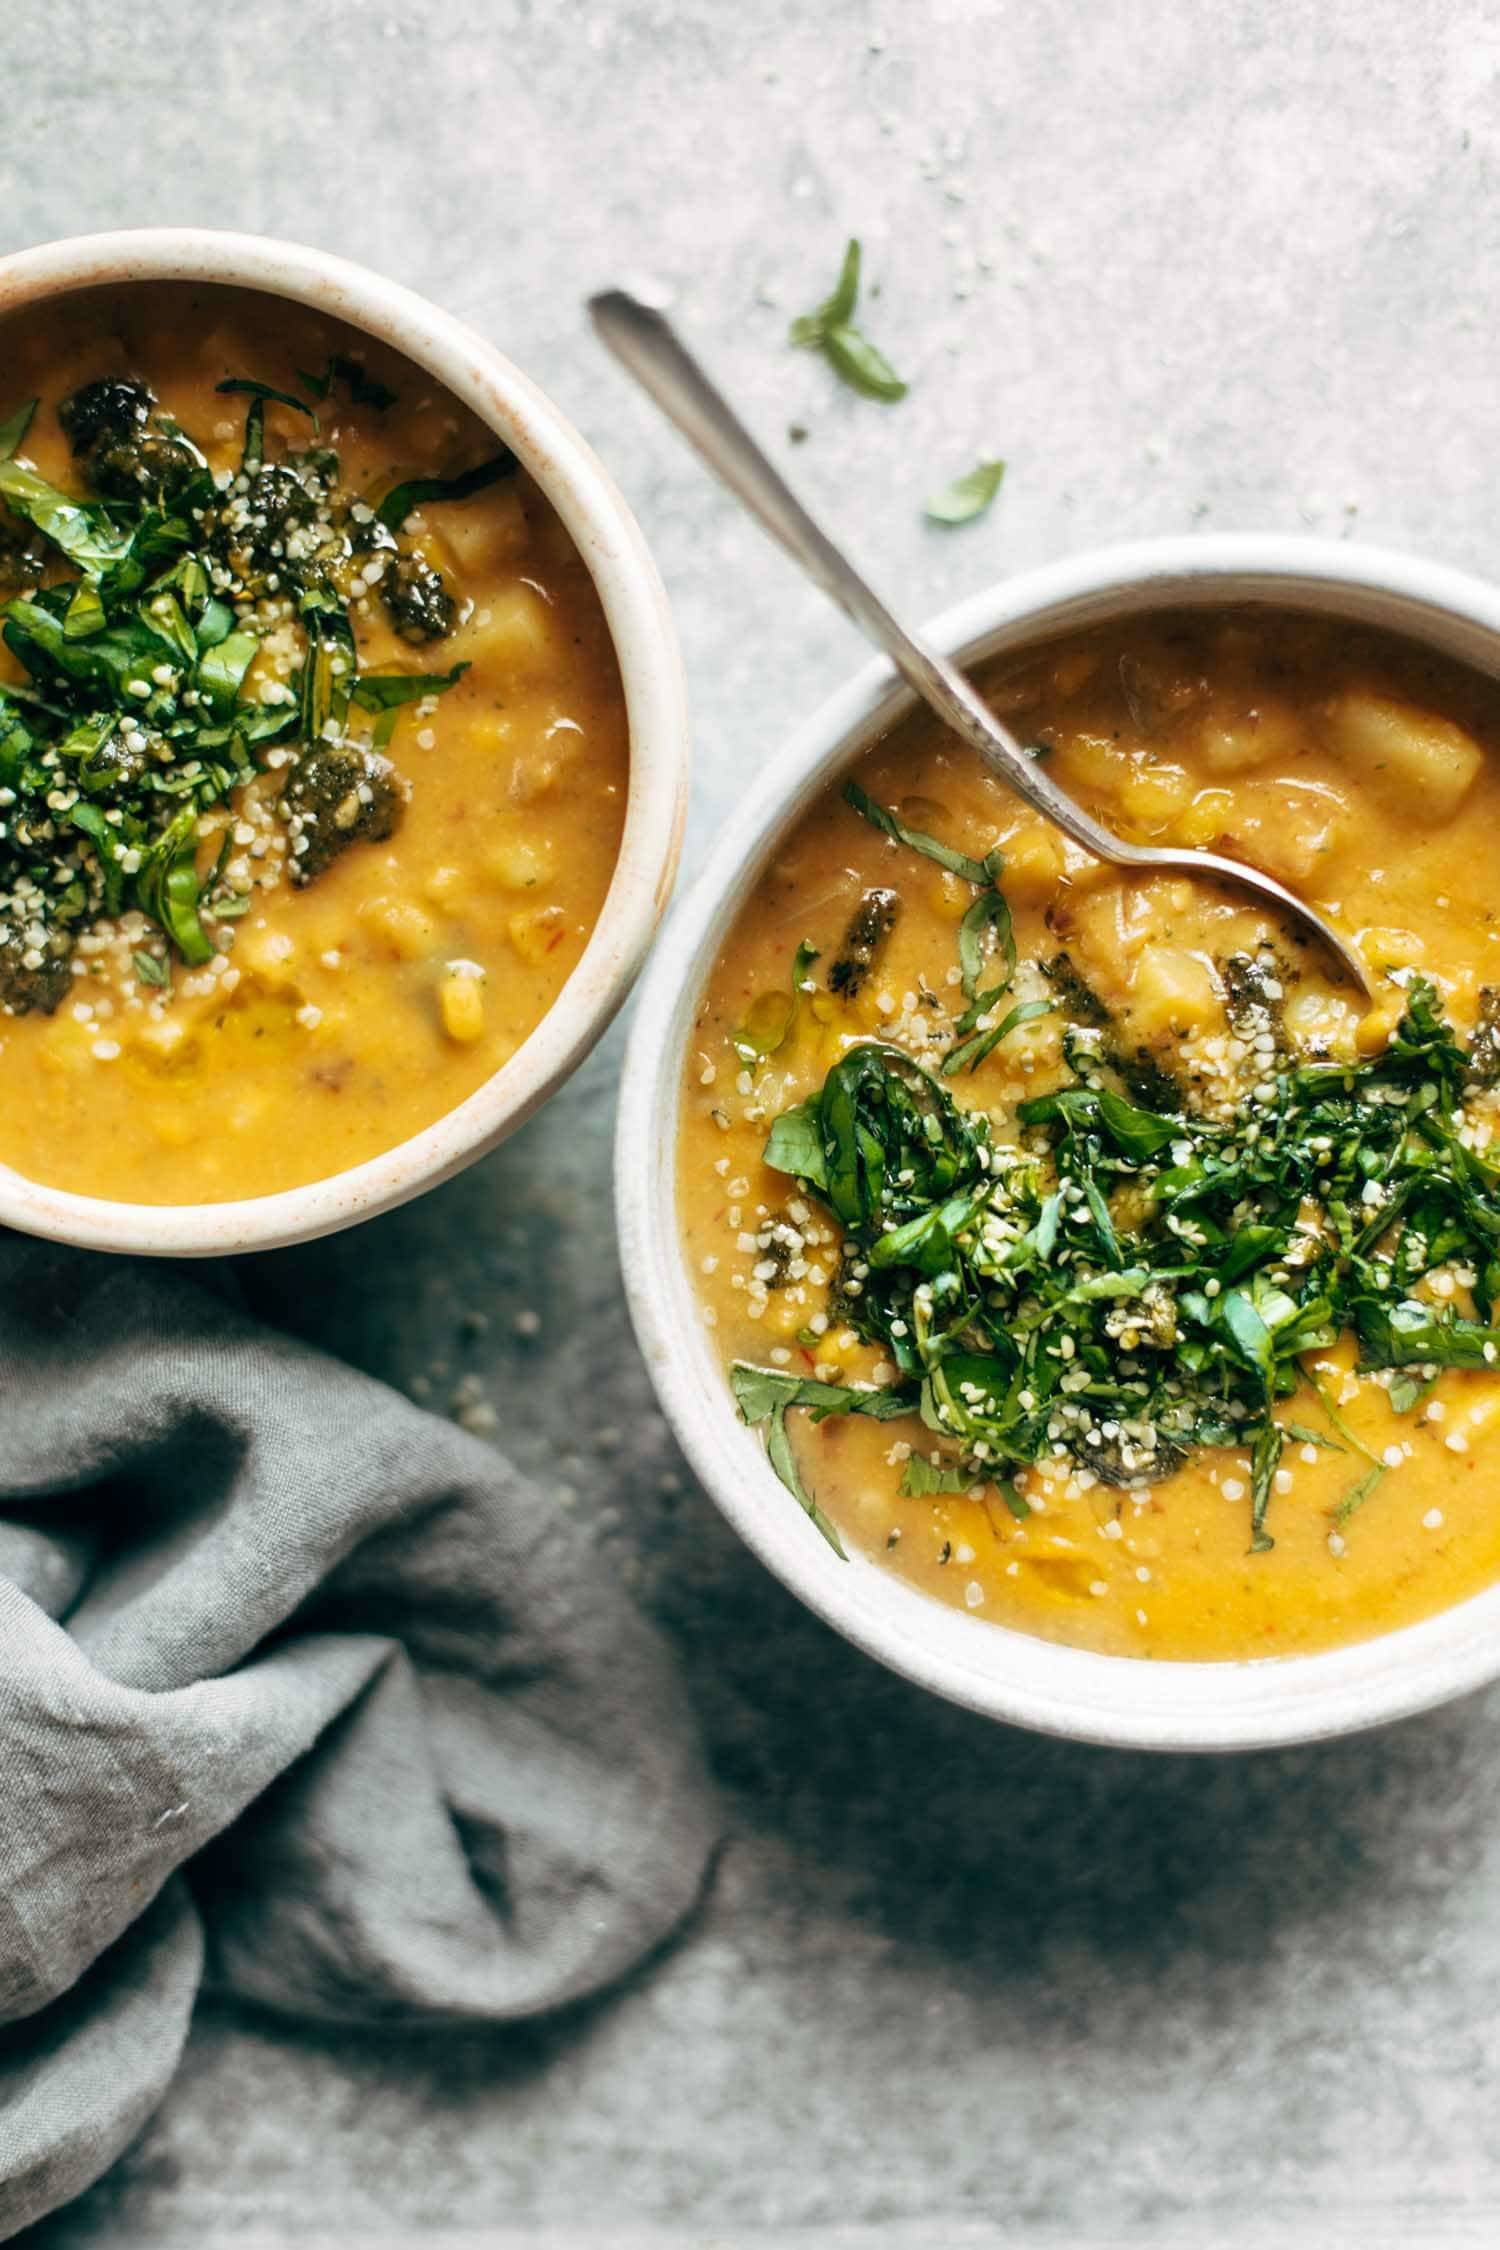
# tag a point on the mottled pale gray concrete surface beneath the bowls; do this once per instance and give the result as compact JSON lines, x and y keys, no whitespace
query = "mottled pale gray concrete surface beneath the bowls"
{"x":1216,"y":264}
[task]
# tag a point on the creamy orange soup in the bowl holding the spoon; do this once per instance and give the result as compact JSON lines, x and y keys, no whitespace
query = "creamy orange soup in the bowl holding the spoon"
{"x":1357,"y":768}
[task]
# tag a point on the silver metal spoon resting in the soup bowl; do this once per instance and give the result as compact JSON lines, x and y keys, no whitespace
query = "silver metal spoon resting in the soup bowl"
{"x":651,"y":350}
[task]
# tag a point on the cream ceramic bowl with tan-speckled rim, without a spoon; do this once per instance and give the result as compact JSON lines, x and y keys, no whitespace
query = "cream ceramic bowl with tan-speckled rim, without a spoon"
{"x":651,"y":669}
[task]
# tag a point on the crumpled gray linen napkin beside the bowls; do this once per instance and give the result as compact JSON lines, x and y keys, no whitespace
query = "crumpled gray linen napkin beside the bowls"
{"x":262,"y":1617}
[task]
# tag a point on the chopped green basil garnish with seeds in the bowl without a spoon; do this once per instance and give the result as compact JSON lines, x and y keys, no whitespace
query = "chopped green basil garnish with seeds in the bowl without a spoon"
{"x":141,"y":712}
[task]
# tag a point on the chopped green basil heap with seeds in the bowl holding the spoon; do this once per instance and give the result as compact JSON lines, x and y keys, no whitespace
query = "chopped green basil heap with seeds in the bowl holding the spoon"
{"x":1126,"y":1288}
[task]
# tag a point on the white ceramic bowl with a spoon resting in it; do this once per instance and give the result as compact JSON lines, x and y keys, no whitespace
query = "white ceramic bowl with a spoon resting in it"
{"x":1006,"y":1675}
